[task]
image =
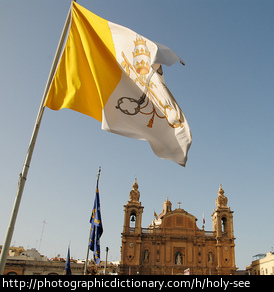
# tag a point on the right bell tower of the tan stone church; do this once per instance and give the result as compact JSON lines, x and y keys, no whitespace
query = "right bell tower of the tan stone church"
{"x":222,"y":220}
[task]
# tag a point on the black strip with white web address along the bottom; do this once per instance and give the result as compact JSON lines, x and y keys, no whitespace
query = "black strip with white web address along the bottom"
{"x":158,"y":283}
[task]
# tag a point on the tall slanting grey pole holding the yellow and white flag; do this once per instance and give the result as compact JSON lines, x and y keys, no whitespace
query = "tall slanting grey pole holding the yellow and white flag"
{"x":26,"y":165}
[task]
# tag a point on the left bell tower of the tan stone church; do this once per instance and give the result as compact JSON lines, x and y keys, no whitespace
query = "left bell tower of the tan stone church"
{"x":132,"y":231}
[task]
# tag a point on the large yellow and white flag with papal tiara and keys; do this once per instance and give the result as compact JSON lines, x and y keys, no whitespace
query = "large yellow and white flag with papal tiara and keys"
{"x":114,"y":75}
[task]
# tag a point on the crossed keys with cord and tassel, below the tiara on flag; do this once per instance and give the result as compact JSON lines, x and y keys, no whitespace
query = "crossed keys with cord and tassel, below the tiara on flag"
{"x":132,"y":106}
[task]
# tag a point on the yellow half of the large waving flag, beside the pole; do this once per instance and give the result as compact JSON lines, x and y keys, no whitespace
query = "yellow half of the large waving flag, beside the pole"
{"x":88,"y":72}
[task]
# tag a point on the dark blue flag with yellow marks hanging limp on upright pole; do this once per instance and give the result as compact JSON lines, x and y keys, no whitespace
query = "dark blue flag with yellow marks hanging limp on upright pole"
{"x":96,"y":227}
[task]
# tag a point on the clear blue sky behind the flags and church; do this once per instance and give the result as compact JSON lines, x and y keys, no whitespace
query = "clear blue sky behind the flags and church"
{"x":225,"y":90}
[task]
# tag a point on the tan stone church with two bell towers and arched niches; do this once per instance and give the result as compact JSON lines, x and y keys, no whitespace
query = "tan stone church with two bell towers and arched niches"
{"x":173,"y":244}
